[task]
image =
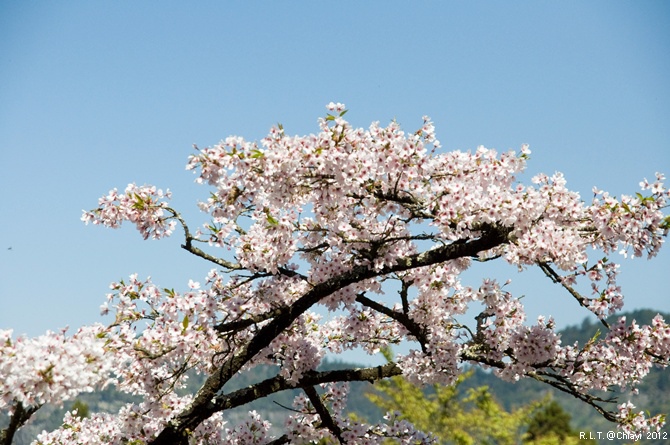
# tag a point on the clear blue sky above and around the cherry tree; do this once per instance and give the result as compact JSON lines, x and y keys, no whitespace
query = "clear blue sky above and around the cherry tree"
{"x":94,"y":95}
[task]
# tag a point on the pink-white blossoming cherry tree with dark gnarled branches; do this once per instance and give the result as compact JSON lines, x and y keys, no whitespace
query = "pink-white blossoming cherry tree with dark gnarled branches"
{"x":347,"y":238}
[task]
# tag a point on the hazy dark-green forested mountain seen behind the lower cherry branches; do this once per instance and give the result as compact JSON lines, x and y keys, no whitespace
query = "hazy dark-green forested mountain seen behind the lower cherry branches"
{"x":510,"y":395}
